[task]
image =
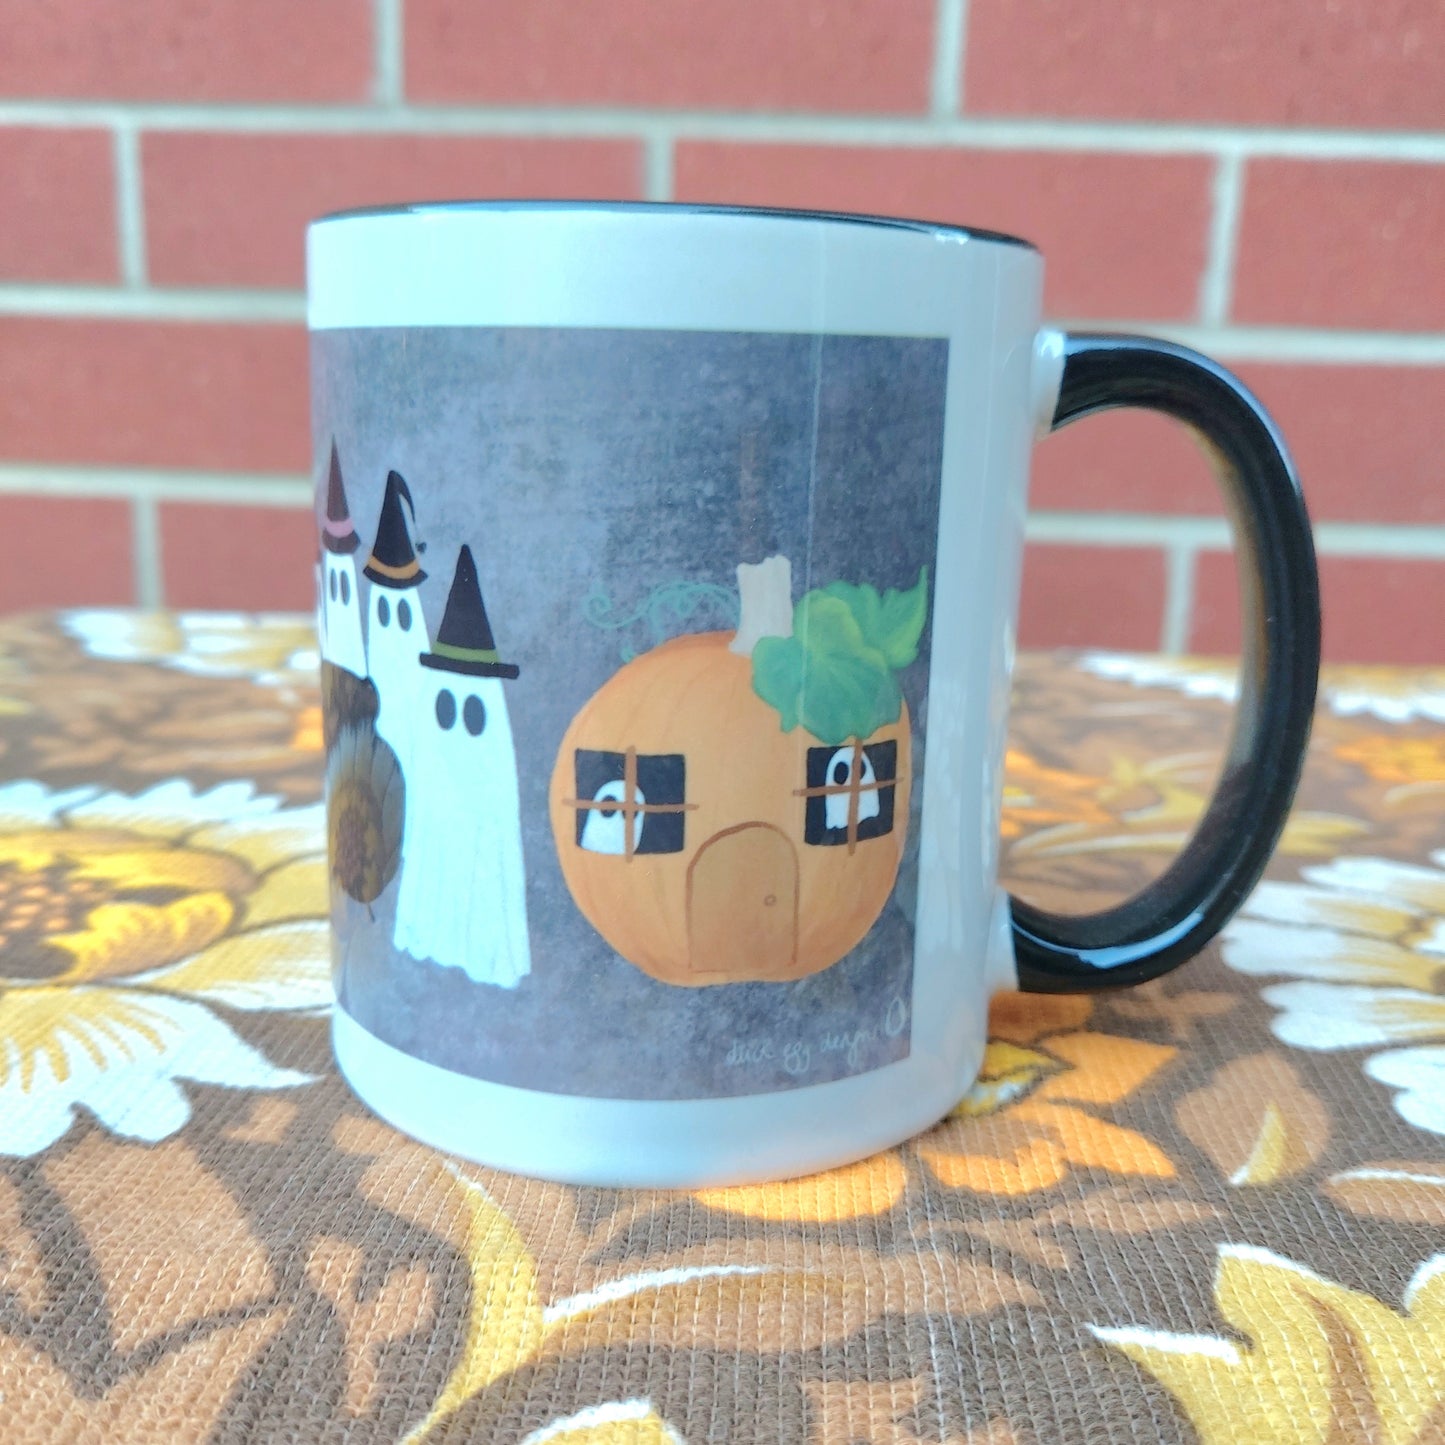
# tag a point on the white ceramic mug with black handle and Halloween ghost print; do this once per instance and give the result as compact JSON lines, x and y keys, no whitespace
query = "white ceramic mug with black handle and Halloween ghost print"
{"x":668,"y":586}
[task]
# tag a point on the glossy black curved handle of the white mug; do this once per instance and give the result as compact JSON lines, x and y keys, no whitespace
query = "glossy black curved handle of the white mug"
{"x":1181,"y":911}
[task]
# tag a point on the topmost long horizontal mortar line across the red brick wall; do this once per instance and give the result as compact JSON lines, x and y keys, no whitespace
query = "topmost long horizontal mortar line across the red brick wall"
{"x":580,"y":124}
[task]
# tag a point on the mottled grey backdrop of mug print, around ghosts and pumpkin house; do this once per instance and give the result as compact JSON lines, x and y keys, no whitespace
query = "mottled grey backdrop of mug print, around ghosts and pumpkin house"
{"x":609,"y":485}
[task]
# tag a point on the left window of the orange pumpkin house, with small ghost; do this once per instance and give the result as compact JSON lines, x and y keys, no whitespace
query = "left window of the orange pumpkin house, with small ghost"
{"x":631,"y":804}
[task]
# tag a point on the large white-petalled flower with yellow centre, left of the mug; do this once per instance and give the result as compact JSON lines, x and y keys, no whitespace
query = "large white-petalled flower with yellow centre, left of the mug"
{"x":126,"y":923}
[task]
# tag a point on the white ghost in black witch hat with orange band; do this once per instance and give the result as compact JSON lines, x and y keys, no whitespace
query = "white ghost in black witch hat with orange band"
{"x":397,"y":626}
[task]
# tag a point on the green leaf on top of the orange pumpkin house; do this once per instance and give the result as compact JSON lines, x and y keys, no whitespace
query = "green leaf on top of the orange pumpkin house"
{"x":827,"y":676}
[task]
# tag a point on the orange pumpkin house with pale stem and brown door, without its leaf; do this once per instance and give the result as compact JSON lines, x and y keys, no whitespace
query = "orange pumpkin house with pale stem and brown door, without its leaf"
{"x":707,"y":842}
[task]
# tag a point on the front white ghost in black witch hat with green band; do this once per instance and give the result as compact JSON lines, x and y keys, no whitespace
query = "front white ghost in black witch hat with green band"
{"x":463,"y":901}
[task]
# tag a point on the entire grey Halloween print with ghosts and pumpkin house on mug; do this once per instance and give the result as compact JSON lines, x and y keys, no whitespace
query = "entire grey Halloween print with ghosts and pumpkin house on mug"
{"x":625,"y":699}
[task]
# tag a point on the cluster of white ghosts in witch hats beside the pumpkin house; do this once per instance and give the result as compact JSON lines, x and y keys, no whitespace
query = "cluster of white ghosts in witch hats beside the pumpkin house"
{"x":430,"y":788}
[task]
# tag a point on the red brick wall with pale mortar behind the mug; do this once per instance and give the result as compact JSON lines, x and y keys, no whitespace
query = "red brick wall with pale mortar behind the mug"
{"x":1264,"y":181}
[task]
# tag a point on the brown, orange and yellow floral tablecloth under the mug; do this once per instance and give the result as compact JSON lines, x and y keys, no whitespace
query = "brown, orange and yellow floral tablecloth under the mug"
{"x":1212,"y":1209}
